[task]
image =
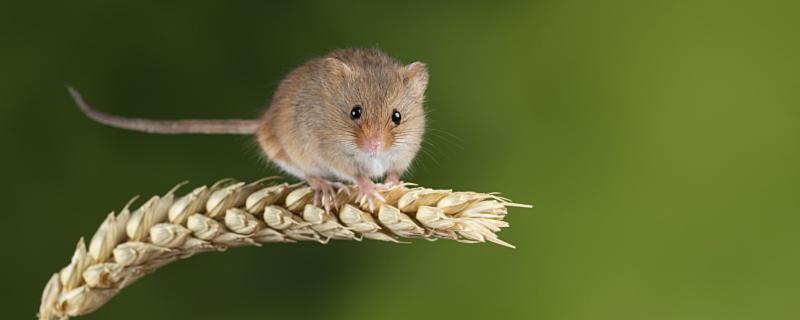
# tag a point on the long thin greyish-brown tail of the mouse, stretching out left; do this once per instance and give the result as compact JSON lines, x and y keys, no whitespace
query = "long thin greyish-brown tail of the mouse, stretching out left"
{"x":188,"y":126}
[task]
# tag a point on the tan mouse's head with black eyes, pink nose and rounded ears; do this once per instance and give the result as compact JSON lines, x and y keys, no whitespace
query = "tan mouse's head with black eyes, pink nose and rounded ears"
{"x":378,"y":101}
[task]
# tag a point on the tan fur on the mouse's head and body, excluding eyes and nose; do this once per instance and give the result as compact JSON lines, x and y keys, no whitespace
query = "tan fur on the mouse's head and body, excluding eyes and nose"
{"x":307,"y":130}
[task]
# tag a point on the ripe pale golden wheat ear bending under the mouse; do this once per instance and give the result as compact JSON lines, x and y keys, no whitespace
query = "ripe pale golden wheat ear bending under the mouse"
{"x":229,"y":214}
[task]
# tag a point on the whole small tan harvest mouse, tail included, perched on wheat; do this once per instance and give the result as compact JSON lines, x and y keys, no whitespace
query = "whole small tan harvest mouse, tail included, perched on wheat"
{"x":351,"y":116}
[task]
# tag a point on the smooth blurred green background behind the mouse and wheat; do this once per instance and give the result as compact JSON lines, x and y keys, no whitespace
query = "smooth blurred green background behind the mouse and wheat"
{"x":658,"y":142}
